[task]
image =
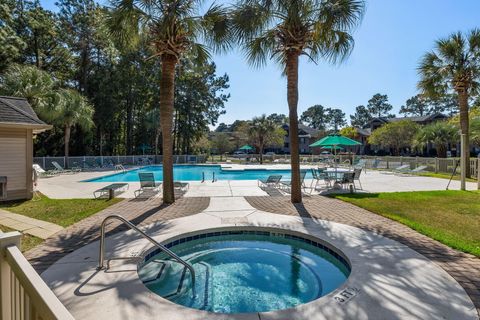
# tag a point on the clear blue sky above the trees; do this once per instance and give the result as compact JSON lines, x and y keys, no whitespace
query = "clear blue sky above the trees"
{"x":389,"y":43}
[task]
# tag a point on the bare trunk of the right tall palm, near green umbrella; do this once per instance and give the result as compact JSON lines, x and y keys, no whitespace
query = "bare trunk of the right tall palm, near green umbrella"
{"x":292,"y":97}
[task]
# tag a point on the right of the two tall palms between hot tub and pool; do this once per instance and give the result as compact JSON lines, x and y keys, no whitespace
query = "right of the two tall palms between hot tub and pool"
{"x":285,"y":30}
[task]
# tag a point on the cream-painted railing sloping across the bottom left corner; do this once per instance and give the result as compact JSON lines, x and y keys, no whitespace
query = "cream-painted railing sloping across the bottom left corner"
{"x":24,"y":295}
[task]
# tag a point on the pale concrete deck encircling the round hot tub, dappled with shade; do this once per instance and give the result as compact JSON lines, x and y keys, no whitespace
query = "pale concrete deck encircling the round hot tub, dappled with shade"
{"x":390,"y":280}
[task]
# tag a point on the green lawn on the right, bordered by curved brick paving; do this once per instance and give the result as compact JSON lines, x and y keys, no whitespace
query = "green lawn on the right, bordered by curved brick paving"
{"x":451,"y":217}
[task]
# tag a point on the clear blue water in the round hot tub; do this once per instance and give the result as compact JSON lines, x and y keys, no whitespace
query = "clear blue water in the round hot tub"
{"x":247,"y":272}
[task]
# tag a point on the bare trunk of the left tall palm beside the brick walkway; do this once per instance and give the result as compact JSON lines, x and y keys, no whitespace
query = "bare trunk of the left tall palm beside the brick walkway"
{"x":167,"y":91}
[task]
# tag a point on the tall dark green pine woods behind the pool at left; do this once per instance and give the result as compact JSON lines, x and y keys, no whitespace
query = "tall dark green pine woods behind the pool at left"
{"x":75,"y":49}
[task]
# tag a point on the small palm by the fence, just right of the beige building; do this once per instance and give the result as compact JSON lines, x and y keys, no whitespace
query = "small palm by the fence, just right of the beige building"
{"x":74,"y":110}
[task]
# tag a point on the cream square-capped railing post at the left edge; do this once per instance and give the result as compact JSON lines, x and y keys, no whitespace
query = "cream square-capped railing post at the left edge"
{"x":6,"y":240}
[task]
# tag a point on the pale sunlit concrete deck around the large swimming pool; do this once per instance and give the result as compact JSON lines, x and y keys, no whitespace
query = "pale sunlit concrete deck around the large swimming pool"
{"x":71,"y":185}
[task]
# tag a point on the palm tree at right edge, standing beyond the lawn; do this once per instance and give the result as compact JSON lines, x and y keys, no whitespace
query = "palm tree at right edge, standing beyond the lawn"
{"x":454,"y":65}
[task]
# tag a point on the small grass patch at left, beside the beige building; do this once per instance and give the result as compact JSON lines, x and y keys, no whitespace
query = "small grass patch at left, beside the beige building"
{"x":63,"y":212}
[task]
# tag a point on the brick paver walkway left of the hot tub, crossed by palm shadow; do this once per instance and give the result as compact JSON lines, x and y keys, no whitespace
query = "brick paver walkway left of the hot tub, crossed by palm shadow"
{"x":138,"y":211}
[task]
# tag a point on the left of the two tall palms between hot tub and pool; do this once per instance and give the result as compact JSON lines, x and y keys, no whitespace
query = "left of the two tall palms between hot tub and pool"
{"x":173,"y":28}
